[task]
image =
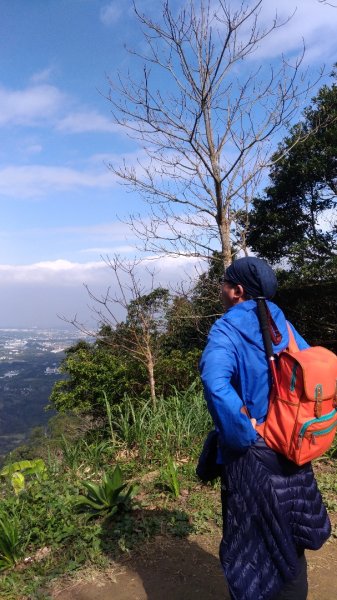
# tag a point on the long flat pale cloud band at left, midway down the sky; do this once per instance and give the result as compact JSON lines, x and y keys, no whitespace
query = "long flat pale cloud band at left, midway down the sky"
{"x":38,"y":180}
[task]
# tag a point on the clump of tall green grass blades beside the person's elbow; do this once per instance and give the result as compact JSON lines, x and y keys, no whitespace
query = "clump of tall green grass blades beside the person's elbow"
{"x":176,"y":425}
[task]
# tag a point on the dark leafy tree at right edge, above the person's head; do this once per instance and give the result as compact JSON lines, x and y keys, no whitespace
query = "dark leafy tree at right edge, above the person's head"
{"x":294,"y":220}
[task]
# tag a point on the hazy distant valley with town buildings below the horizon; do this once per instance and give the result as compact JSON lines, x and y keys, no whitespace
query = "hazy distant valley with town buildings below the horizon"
{"x":29,"y":367}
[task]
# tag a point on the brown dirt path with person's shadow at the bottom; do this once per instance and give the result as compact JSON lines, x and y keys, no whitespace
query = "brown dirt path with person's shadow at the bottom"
{"x":188,"y":569}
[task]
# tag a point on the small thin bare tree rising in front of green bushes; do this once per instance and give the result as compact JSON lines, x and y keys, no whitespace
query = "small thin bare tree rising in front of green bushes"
{"x":130,"y":319}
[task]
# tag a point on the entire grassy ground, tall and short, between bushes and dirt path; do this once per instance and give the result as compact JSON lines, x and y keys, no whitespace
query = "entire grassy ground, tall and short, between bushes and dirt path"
{"x":157,"y":450}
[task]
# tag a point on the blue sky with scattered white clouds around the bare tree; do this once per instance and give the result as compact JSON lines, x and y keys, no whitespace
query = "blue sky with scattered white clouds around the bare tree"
{"x":61,"y":207}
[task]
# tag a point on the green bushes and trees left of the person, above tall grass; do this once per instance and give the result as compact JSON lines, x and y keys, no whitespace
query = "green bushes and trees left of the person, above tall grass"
{"x":172,"y":329}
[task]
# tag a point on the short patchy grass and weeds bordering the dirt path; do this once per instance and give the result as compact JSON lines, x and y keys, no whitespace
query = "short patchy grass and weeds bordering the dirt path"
{"x":47,"y":511}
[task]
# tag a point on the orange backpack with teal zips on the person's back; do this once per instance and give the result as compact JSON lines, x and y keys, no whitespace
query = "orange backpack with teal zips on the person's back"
{"x":302,"y":415}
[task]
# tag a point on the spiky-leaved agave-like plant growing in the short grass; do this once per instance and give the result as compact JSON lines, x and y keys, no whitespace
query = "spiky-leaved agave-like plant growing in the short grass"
{"x":107,"y":497}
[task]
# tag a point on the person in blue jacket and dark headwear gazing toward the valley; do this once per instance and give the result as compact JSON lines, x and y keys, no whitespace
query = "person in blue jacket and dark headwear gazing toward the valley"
{"x":272,"y":508}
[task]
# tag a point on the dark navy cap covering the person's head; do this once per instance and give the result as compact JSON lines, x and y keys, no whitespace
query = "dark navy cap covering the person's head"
{"x":254,"y":274}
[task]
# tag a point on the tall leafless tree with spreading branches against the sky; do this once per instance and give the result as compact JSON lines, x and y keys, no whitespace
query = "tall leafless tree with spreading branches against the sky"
{"x":205,"y":116}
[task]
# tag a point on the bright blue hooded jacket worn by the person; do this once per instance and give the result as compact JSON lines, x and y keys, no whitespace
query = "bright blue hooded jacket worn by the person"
{"x":234,"y":371}
